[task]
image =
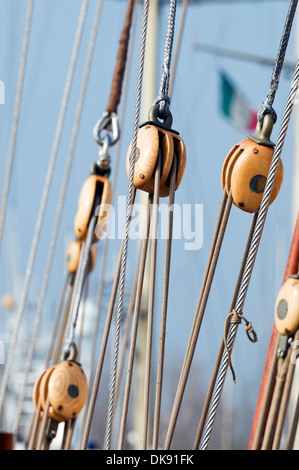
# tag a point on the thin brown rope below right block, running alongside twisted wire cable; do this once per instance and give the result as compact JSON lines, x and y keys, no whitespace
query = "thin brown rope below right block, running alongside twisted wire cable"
{"x":221,"y":349}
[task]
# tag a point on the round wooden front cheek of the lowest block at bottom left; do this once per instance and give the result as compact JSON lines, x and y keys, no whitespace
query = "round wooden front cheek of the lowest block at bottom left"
{"x":67,"y":389}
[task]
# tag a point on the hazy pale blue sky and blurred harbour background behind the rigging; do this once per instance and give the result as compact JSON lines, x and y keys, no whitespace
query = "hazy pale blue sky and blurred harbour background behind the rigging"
{"x":237,"y":38}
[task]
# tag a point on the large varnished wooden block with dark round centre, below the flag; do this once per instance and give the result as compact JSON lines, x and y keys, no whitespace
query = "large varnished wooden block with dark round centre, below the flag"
{"x":245,"y":173}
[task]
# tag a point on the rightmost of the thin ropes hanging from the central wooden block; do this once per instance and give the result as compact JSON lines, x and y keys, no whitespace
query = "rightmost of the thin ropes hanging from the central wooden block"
{"x":161,"y":355}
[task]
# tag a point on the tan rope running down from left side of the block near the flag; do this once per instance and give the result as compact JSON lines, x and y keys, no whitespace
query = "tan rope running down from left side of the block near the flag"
{"x":219,"y":232}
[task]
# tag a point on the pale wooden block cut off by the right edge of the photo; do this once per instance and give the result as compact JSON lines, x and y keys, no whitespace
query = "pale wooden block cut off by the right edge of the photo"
{"x":287,"y":307}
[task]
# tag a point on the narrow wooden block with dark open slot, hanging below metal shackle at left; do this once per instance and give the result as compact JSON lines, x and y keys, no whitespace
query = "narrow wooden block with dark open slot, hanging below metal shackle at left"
{"x":95,"y":188}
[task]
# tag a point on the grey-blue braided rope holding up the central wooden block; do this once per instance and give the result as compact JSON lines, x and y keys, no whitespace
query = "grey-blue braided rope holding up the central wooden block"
{"x":163,"y":99}
